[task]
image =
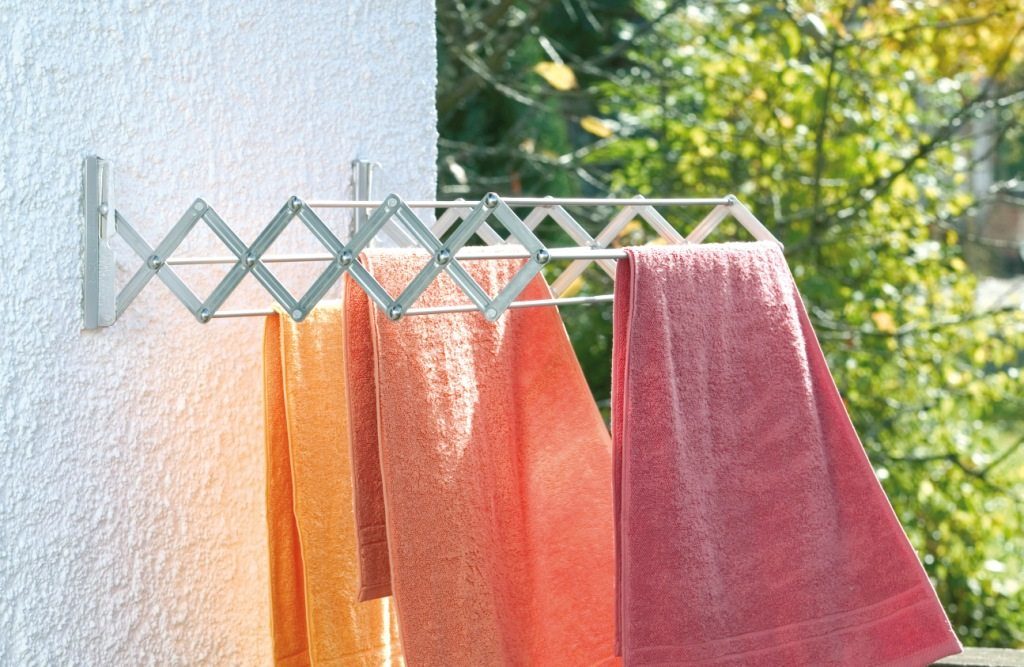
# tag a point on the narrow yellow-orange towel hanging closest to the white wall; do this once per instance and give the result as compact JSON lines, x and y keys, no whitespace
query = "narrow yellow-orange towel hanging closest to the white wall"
{"x":317,"y":619}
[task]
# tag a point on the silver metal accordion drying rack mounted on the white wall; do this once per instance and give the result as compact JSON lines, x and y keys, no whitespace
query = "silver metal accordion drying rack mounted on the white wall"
{"x":393,"y":218}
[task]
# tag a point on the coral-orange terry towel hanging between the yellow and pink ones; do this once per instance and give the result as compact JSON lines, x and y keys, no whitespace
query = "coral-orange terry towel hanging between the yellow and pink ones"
{"x":496,"y":475}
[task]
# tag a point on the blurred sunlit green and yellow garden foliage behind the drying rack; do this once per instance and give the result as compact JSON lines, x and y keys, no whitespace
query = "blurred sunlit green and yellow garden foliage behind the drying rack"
{"x":881,"y":142}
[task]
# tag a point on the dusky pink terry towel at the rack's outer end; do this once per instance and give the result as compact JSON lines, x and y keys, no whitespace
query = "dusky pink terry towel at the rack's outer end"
{"x":751,"y":528}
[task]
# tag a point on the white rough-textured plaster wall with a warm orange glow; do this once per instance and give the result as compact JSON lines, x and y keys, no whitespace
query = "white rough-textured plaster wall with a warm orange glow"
{"x":132,"y":460}
